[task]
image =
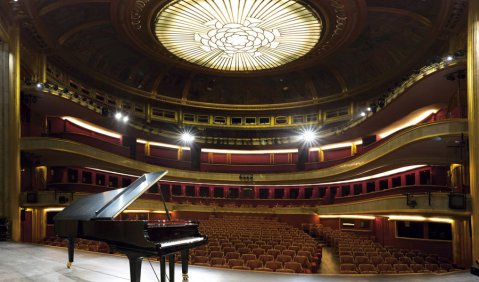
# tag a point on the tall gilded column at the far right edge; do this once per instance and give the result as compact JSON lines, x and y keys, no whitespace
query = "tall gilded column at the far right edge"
{"x":473,"y":117}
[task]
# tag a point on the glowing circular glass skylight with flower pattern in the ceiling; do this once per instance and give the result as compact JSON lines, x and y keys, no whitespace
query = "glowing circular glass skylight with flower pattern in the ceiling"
{"x":238,"y":35}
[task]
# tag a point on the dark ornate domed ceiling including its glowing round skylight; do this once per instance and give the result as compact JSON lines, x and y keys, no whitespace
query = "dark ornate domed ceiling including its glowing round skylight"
{"x":261,"y":55}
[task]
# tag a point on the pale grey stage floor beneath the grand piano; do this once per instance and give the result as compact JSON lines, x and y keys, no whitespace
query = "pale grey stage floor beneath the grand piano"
{"x":31,"y":262}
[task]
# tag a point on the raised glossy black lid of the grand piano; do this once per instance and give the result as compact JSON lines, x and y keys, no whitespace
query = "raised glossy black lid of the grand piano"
{"x":109,"y":204}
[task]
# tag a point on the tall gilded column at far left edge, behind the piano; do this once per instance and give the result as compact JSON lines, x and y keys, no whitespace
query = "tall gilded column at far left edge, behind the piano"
{"x":10,"y":125}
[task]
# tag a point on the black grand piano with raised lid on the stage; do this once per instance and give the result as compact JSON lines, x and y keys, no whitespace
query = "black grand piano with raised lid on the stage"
{"x":92,"y":217}
